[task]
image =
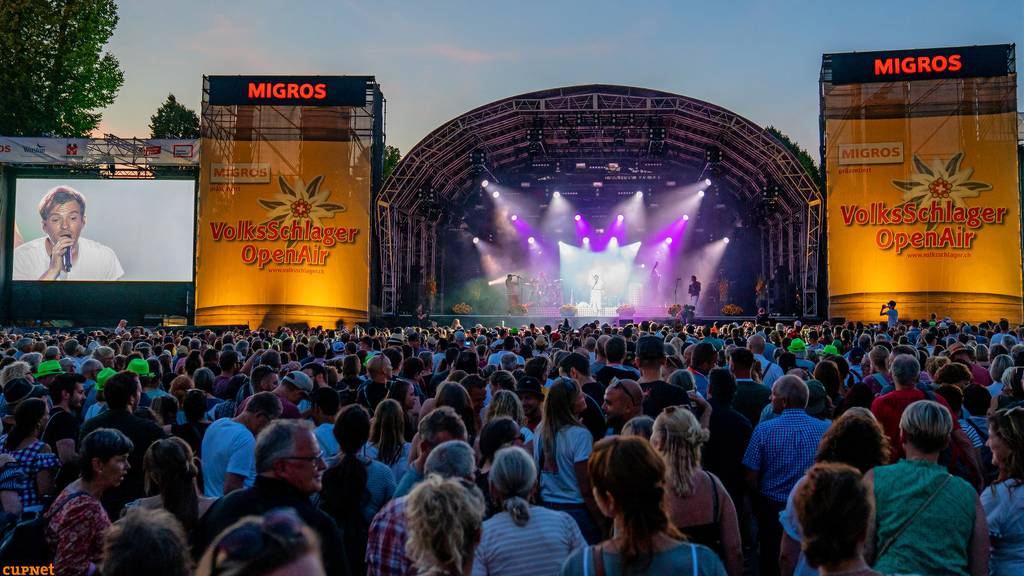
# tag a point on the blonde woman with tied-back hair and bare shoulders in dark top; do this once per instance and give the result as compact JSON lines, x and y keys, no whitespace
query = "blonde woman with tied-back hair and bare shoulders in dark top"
{"x":699,"y":505}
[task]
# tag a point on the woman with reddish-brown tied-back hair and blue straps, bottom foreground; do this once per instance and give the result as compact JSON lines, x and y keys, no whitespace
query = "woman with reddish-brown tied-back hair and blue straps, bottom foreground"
{"x":629,"y":481}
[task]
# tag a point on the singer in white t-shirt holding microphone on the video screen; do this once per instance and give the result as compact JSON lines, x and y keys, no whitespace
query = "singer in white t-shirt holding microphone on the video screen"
{"x":63,"y":254}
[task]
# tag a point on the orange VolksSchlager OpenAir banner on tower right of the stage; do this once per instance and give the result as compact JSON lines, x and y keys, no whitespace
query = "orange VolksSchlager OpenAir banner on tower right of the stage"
{"x":924,"y":211}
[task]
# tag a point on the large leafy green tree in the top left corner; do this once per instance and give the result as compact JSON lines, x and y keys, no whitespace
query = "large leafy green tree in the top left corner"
{"x":55,"y":75}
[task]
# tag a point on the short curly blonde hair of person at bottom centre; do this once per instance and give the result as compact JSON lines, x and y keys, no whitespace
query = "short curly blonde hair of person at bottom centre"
{"x":444,"y":520}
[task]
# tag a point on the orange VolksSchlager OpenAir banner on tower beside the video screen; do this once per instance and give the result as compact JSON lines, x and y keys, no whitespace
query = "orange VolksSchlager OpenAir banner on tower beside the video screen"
{"x":284,"y":234}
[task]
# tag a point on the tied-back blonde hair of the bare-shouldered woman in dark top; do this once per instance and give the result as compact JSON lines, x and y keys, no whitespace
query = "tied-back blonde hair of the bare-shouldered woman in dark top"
{"x":679,"y":438}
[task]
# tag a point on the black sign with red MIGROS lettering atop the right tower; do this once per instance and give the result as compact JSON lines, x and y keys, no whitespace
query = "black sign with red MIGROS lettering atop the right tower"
{"x":964,"y":62}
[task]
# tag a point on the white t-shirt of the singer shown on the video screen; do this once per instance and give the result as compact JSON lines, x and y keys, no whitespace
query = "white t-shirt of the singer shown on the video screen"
{"x":96,"y":262}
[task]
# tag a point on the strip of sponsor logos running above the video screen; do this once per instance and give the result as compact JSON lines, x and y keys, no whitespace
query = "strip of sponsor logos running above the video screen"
{"x":157,"y":152}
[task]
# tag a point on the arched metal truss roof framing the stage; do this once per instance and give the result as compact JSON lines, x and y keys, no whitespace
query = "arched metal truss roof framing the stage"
{"x":613,"y":122}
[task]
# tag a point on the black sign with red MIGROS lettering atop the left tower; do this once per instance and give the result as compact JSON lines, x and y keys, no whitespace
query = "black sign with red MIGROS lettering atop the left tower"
{"x":288,"y":91}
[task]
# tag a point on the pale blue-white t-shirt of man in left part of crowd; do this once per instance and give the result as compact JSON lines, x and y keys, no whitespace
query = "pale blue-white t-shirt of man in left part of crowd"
{"x":228,"y":447}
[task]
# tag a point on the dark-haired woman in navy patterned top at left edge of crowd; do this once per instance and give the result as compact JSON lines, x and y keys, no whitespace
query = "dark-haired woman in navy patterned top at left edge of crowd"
{"x":34,"y":457}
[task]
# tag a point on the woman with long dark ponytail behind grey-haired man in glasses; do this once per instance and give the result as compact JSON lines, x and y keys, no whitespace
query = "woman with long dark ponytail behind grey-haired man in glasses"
{"x":358,"y":487}
